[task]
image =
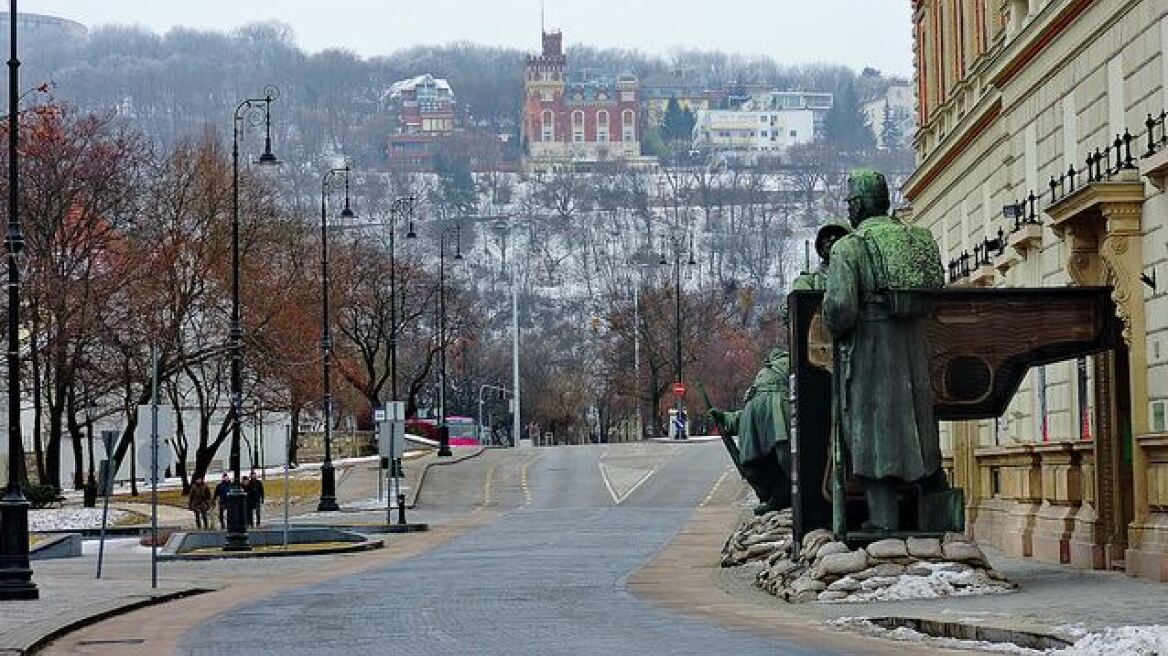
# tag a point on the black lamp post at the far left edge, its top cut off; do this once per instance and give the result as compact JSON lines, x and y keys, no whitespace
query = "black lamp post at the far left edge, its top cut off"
{"x":16,"y":571}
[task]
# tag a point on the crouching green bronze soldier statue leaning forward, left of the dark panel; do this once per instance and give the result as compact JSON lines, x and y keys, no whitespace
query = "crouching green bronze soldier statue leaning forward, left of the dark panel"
{"x":763,"y":455}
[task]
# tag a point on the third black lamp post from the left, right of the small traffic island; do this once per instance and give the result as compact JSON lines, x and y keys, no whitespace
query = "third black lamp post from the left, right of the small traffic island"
{"x":328,"y":472}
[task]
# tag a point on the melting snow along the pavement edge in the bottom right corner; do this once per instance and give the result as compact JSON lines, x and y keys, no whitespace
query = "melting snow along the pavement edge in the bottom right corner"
{"x":1129,"y":641}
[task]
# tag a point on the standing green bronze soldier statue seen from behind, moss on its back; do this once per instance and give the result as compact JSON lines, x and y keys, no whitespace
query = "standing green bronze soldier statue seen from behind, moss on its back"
{"x":884,"y":397}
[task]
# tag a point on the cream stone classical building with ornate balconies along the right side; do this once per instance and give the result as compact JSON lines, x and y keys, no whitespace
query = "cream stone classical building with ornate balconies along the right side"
{"x":1042,"y":162}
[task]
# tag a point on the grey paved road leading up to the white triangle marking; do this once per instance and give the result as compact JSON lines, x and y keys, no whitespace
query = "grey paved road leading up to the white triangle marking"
{"x":547,"y":577}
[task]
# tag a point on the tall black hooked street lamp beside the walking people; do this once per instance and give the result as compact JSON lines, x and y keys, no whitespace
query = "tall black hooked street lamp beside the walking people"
{"x":237,"y":539}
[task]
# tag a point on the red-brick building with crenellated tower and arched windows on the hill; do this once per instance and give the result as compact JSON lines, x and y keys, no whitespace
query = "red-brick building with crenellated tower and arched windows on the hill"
{"x":578,"y":118}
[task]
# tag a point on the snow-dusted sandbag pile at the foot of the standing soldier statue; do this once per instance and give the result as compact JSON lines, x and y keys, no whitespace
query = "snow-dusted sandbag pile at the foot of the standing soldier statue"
{"x":887,"y":570}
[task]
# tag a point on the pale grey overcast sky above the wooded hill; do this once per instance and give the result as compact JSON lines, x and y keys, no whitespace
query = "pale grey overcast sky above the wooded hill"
{"x":857,"y":33}
